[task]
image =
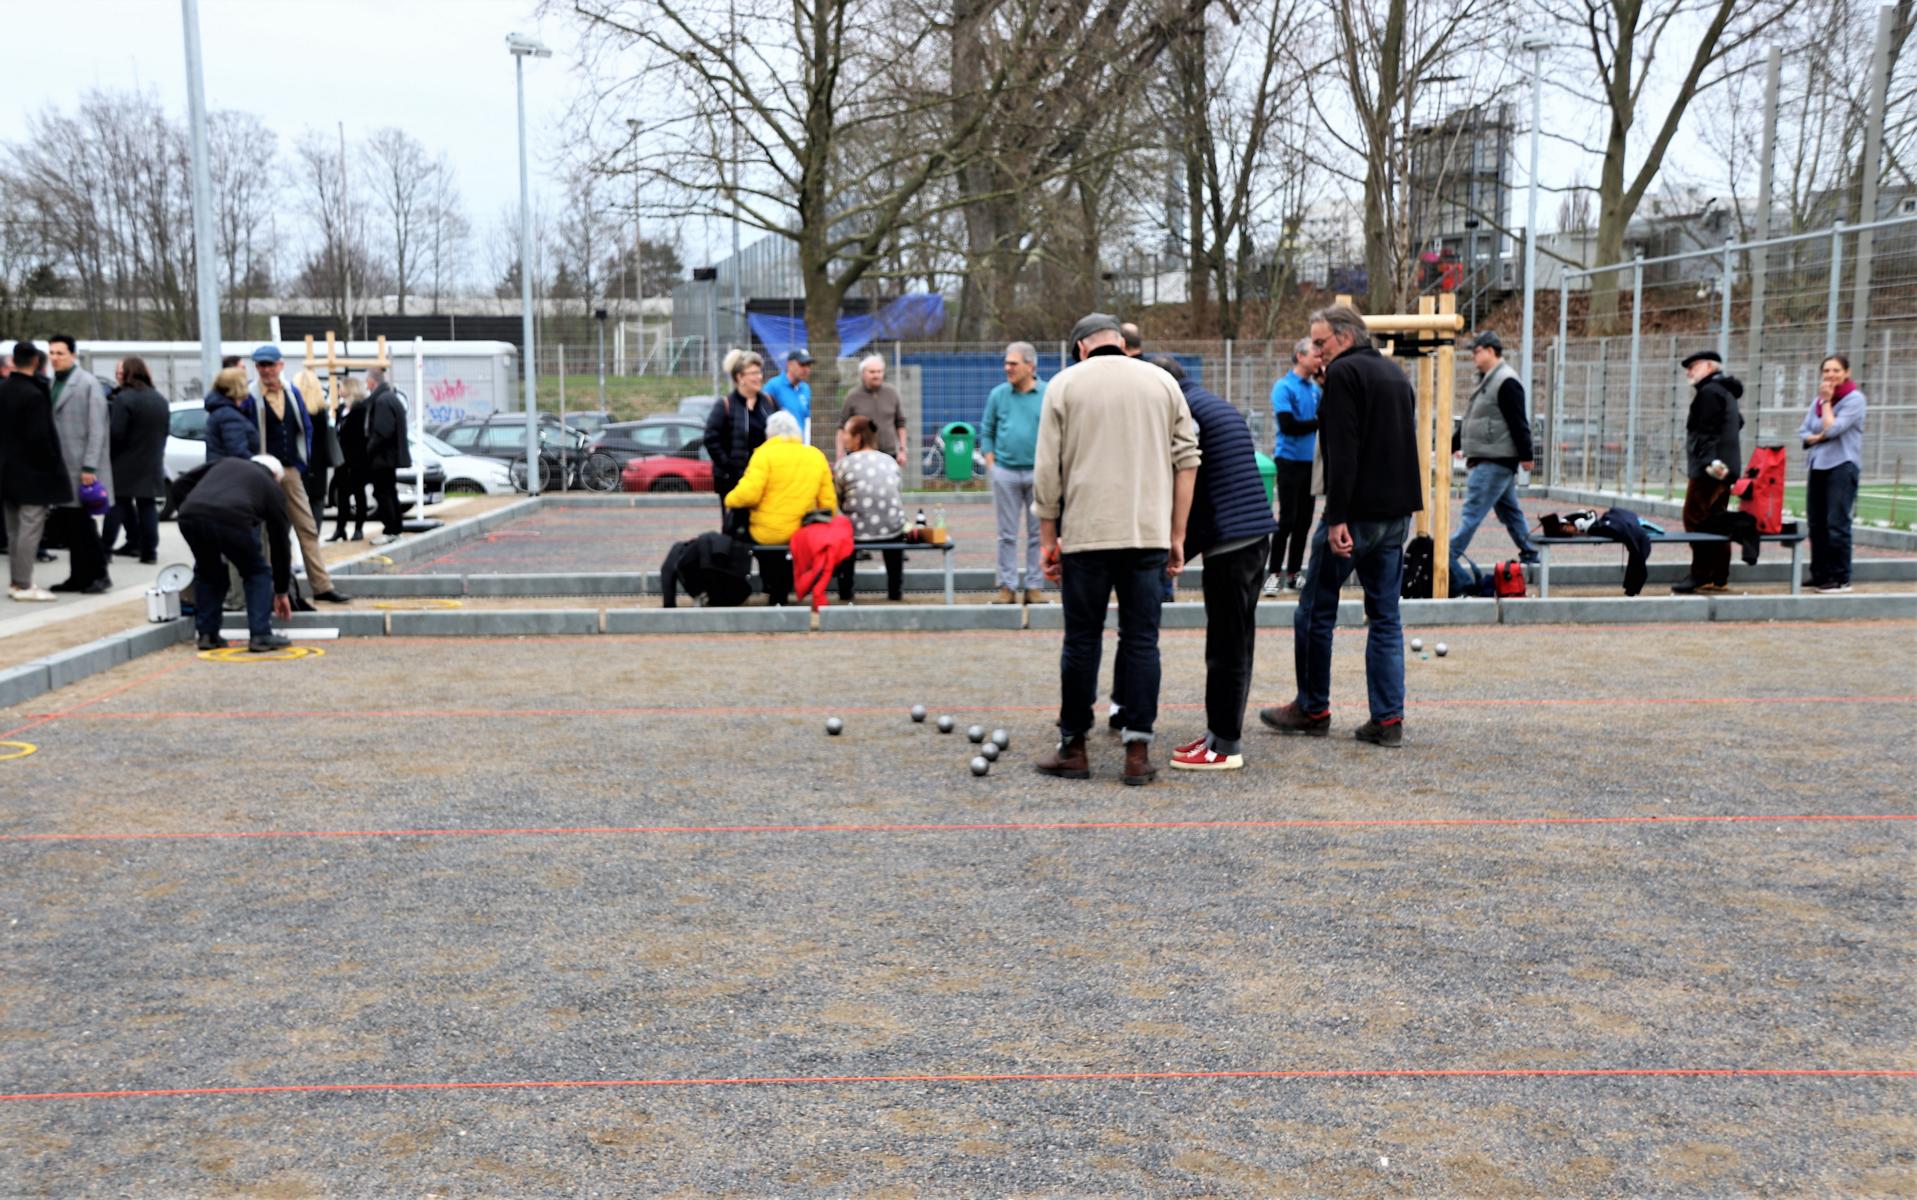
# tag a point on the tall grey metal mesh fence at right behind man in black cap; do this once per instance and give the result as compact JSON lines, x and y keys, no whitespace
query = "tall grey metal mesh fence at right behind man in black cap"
{"x":1613,"y":398}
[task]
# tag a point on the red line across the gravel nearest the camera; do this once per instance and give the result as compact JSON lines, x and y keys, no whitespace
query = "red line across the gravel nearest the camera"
{"x":1621,"y":1073}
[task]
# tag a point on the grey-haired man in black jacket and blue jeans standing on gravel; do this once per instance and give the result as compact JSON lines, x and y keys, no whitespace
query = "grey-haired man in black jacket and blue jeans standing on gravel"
{"x":1372,"y":488}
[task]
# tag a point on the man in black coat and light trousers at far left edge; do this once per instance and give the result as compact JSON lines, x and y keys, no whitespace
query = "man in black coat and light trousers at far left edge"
{"x":34,"y":474}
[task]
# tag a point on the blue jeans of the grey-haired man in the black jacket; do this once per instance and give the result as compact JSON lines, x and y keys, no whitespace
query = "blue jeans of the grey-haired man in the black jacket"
{"x":1379,"y":559}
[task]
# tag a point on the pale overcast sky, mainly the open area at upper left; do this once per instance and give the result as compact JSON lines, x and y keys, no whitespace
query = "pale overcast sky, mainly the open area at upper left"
{"x":436,"y":68}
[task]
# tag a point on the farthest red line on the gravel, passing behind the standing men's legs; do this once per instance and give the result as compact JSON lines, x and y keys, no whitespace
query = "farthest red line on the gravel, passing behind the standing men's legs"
{"x":749,"y":710}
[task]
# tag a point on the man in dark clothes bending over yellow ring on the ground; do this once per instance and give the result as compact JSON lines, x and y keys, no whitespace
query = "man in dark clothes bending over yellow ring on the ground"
{"x":221,"y":507}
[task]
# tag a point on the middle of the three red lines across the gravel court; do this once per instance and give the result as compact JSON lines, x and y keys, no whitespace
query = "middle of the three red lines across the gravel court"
{"x":981,"y":827}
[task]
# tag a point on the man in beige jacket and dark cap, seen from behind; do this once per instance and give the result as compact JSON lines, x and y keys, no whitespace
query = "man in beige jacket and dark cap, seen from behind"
{"x":1113,"y":486}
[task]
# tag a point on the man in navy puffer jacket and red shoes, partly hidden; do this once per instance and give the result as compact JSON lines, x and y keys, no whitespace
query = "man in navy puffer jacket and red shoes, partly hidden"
{"x":1232,"y":526}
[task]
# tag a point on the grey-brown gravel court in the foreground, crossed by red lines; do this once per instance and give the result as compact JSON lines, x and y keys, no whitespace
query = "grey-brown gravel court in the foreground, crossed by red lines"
{"x":697,"y":956}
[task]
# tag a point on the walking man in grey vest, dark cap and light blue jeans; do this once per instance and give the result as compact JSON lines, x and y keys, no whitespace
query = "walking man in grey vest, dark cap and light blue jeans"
{"x":1496,"y":438}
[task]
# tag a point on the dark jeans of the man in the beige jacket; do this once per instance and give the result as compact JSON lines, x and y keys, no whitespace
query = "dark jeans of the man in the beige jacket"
{"x":1088,"y":586}
